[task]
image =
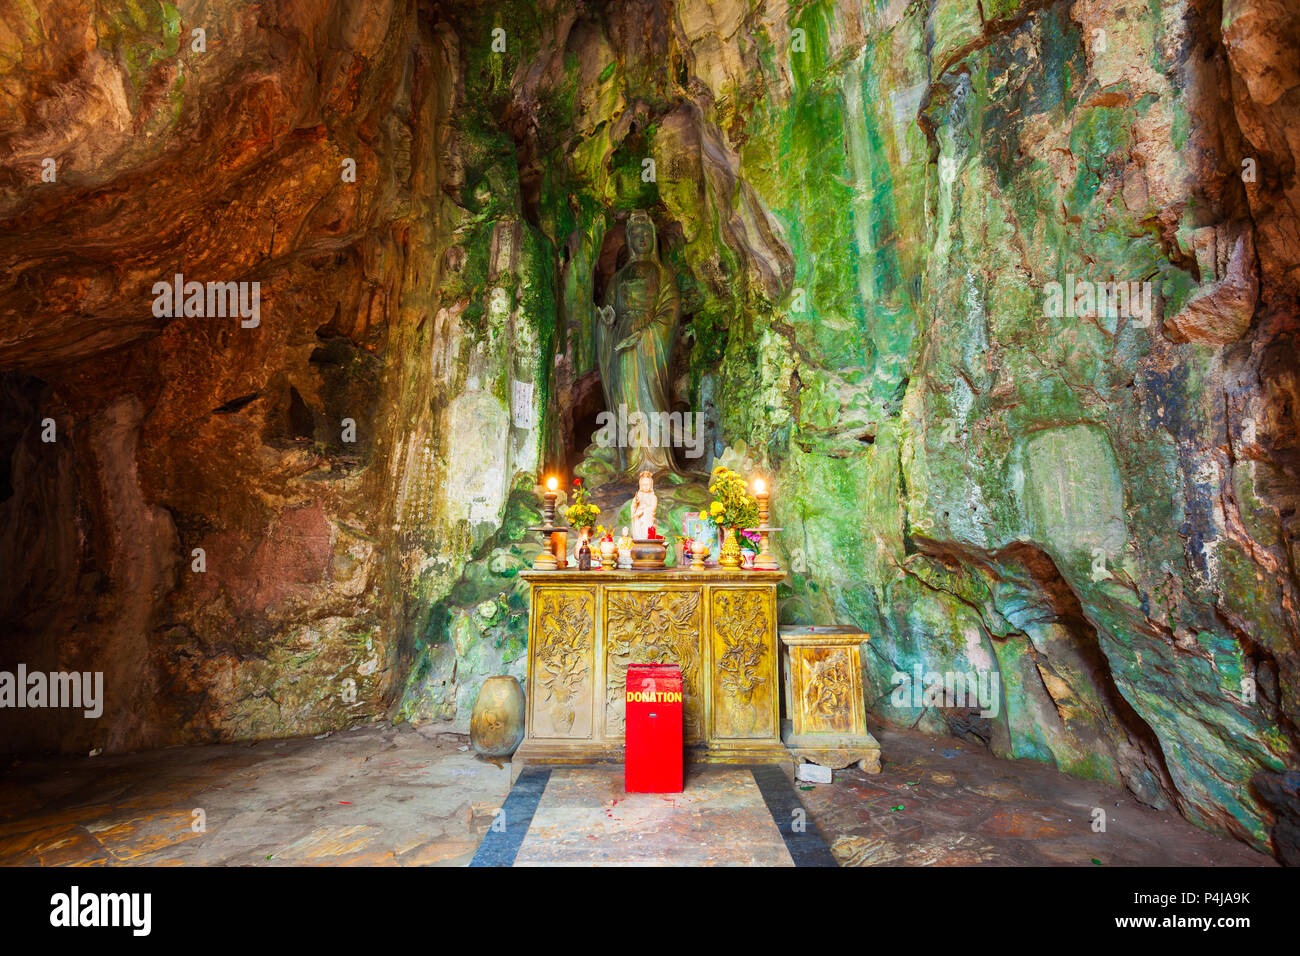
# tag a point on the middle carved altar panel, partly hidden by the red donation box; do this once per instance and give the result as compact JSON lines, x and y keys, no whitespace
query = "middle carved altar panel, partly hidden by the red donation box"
{"x":658,"y":626}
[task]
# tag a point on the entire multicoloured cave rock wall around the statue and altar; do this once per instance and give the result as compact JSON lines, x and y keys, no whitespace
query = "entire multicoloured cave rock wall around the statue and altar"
{"x":868,"y":207}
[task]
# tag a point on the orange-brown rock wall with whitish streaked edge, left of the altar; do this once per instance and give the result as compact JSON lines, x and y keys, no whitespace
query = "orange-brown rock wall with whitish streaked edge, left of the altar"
{"x":245,"y":529}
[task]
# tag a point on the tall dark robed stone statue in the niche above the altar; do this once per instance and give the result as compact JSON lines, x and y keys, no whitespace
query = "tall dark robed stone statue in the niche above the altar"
{"x":634,"y":341}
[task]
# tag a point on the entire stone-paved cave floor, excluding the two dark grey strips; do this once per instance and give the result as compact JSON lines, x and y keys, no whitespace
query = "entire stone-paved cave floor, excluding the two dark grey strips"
{"x":385,"y":795}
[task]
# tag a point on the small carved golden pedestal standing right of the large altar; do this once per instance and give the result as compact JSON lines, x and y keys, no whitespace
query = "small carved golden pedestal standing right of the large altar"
{"x":824,"y":698}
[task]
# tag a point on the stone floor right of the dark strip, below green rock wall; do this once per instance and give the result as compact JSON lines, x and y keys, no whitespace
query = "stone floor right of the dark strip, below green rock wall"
{"x":943,"y":802}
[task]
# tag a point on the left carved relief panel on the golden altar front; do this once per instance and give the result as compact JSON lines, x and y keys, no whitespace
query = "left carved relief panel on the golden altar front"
{"x":564,"y":663}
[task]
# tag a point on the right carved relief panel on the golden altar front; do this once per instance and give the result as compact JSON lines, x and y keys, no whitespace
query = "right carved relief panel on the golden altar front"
{"x":744,"y":671}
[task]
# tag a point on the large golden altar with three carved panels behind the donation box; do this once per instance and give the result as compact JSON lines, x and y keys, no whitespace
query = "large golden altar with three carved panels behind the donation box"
{"x":720,"y":626}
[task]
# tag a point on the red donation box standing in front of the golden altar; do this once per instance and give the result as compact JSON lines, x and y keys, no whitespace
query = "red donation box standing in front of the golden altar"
{"x":653,"y":754}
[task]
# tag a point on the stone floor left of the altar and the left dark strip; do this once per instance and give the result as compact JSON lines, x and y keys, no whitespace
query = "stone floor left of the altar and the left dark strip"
{"x":371,"y":797}
